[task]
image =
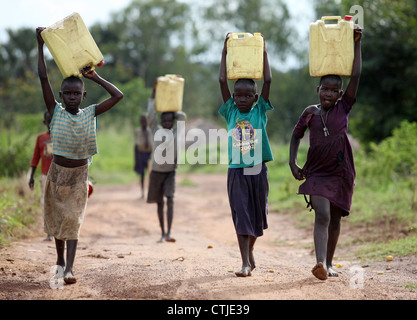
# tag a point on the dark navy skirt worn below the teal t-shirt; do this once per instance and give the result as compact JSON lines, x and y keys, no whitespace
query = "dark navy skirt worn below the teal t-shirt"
{"x":248,"y":198}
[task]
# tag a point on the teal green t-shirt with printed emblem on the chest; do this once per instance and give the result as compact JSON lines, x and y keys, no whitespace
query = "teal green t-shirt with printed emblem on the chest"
{"x":248,"y":143}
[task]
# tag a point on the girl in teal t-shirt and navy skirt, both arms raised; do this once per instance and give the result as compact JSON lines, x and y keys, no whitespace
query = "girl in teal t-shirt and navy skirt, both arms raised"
{"x":249,"y":150}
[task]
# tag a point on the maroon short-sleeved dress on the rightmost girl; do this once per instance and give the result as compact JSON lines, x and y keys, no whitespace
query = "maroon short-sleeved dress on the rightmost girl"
{"x":329,"y":169}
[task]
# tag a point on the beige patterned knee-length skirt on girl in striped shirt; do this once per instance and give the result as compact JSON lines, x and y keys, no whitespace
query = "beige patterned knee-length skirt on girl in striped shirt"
{"x":66,"y":193}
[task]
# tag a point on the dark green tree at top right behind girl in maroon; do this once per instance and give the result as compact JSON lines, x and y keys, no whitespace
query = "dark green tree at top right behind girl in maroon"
{"x":386,"y":94}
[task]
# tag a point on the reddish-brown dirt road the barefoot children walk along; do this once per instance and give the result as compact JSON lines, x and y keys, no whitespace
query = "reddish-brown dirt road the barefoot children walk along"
{"x":119,"y":258}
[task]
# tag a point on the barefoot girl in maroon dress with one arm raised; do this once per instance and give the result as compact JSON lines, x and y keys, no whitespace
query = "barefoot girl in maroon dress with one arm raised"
{"x":329,"y":171}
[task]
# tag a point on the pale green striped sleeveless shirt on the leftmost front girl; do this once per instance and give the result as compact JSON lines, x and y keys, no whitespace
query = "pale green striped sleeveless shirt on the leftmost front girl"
{"x":74,"y":136}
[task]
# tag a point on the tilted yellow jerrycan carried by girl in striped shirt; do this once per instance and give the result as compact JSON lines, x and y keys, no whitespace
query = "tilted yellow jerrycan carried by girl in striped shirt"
{"x":72,"y":46}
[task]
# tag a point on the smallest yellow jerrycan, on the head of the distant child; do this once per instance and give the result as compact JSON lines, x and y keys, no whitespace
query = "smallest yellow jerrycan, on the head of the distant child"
{"x":169,"y":93}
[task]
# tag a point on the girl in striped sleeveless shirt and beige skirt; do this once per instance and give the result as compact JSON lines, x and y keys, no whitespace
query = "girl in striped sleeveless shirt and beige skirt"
{"x":73,"y":133}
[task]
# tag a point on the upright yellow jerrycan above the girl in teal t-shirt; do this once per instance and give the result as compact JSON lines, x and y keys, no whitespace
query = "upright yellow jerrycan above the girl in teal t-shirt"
{"x":245,"y":56}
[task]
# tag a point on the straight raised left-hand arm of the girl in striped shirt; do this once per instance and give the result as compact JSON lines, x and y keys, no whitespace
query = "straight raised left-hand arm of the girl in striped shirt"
{"x":48,"y":94}
